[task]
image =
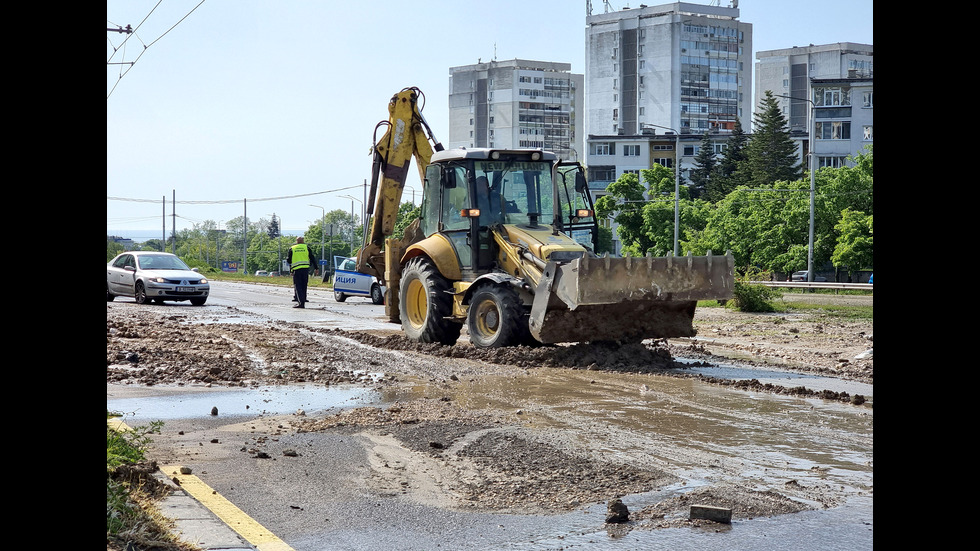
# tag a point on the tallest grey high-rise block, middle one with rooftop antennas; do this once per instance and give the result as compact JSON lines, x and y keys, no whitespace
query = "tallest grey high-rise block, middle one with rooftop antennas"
{"x":682,"y":66}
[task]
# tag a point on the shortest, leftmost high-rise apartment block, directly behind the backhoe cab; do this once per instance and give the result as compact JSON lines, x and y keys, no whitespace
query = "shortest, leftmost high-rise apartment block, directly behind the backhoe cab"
{"x":517,"y":104}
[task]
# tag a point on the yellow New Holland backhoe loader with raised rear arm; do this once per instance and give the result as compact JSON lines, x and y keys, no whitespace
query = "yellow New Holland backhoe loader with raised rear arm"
{"x":505,"y":245}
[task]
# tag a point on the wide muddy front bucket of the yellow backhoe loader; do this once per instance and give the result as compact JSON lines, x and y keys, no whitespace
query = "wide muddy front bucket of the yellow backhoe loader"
{"x":591,"y":299}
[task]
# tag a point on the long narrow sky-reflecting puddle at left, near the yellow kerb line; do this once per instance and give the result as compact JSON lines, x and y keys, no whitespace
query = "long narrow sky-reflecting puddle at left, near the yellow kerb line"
{"x":189,"y":403}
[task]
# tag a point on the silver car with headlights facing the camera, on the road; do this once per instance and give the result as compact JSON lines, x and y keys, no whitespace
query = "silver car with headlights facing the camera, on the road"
{"x":147,"y":276}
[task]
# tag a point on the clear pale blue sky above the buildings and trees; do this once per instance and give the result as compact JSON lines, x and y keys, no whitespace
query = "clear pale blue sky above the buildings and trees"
{"x":269,"y":100}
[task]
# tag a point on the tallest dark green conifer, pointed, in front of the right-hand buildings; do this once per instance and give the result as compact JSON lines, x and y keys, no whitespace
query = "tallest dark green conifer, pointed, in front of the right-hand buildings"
{"x":770,"y":155}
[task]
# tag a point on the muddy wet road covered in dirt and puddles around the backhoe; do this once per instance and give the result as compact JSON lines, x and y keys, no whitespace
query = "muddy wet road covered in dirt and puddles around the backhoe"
{"x":336,"y":438}
